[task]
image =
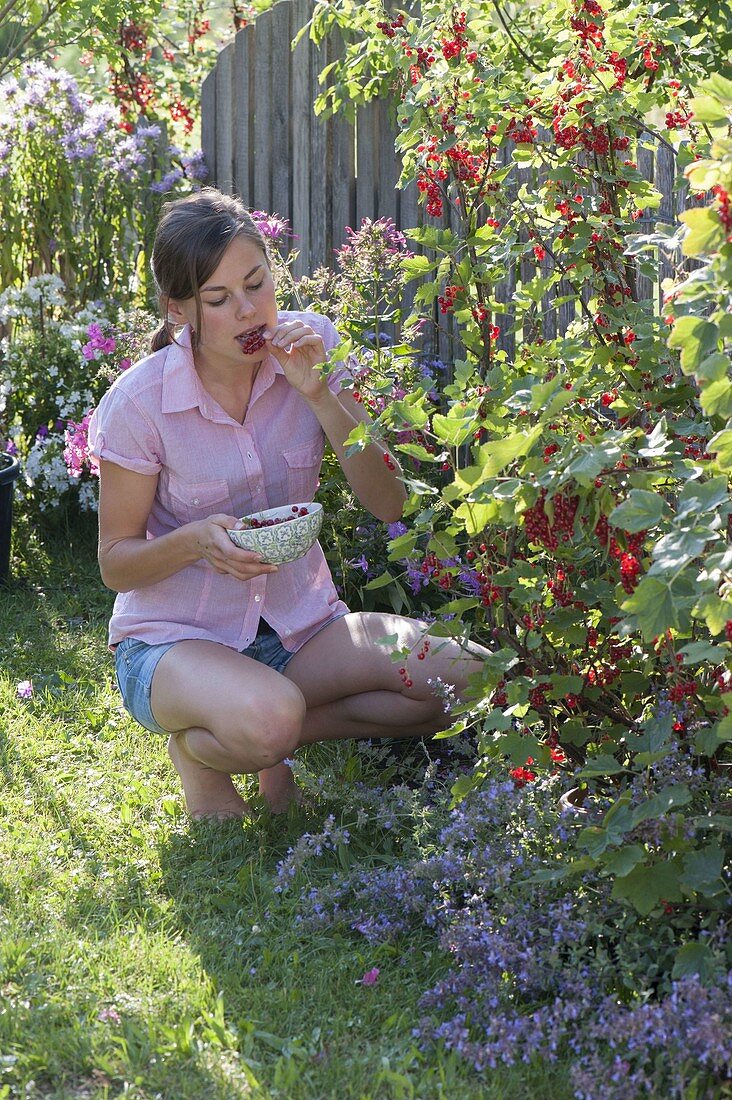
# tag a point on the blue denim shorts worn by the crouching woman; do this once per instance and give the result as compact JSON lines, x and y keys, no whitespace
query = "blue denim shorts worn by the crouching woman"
{"x":137,"y":663}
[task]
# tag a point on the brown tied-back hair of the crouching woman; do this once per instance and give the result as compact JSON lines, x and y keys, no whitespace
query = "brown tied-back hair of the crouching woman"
{"x":191,"y":239}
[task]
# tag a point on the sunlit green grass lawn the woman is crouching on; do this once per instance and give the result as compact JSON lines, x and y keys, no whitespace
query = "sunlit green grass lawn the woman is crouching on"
{"x":144,"y":956}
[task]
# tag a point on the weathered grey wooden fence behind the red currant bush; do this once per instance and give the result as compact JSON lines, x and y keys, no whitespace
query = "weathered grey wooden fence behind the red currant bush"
{"x":264,"y":142}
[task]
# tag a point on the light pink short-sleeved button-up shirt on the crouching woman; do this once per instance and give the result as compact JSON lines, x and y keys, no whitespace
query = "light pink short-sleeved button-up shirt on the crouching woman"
{"x":158,"y":419}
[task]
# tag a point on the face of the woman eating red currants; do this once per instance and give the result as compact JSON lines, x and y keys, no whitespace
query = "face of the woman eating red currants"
{"x":237,"y":301}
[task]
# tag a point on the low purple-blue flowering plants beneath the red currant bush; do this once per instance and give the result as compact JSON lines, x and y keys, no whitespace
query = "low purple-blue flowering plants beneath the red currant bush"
{"x":542,"y":971}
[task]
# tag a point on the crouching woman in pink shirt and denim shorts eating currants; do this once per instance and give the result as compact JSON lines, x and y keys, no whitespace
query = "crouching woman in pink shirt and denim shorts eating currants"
{"x":241,"y":663}
